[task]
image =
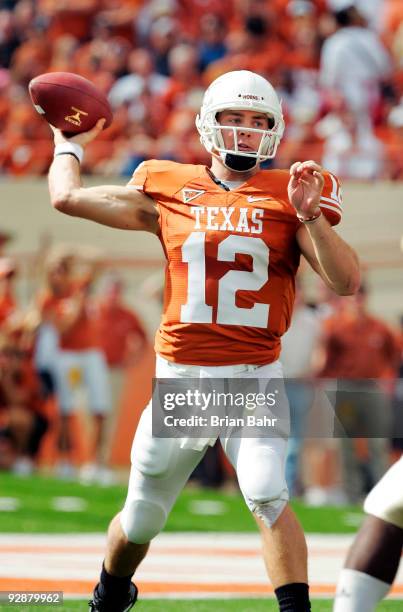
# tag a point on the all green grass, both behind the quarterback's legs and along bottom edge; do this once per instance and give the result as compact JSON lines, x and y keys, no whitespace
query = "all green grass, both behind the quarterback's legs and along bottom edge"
{"x":35,"y":501}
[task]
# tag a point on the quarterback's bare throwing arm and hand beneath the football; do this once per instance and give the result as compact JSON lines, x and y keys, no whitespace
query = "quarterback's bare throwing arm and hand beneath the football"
{"x":113,"y":205}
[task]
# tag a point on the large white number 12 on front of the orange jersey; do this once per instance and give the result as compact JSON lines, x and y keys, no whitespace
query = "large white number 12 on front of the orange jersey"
{"x":228,"y":313}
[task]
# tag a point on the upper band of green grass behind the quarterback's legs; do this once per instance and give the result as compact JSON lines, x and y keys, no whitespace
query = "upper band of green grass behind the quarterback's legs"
{"x":36,"y":512}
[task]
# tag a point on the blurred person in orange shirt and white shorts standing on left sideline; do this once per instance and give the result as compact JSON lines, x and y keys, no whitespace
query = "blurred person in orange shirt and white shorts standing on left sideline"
{"x":74,"y":359}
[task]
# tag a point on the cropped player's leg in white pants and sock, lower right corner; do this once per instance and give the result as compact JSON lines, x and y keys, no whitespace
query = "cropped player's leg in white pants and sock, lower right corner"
{"x":374,"y":557}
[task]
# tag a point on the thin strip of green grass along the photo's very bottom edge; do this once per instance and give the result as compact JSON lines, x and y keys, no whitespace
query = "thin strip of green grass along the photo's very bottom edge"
{"x":194,"y":605}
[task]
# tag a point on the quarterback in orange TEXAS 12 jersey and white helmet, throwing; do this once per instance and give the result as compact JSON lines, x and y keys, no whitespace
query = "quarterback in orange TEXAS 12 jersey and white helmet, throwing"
{"x":232,"y":235}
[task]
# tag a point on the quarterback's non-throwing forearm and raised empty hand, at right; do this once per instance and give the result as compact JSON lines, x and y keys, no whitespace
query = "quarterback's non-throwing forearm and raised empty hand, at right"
{"x":328,"y":254}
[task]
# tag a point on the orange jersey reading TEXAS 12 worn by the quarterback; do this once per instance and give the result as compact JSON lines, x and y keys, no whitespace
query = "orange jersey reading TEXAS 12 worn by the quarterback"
{"x":232,"y":257}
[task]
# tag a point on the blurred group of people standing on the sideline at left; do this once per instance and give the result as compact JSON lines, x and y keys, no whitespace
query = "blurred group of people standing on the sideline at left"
{"x":68,"y":349}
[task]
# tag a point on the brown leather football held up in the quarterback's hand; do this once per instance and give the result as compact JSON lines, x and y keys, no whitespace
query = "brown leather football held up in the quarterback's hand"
{"x":69,"y":101}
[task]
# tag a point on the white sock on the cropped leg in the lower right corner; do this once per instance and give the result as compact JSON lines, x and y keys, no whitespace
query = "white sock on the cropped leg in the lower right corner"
{"x":358,"y":592}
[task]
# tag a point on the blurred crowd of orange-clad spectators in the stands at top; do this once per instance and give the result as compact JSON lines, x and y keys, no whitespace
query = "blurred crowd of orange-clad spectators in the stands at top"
{"x":336,"y":64}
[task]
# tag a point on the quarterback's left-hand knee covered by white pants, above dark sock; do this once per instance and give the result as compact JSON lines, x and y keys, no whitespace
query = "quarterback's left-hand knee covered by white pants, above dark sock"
{"x":142,"y":520}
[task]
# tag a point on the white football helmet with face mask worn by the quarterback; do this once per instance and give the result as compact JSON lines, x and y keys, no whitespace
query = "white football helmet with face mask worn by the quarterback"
{"x":240,"y":90}
